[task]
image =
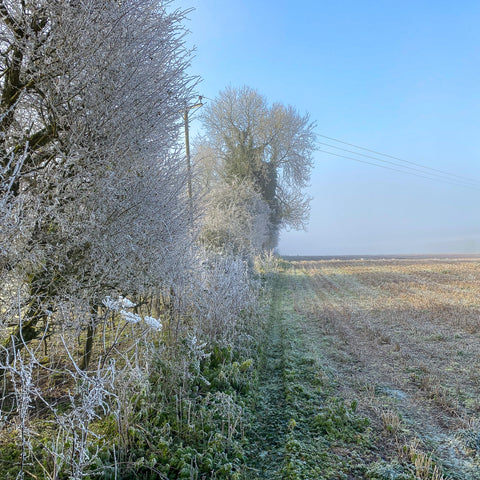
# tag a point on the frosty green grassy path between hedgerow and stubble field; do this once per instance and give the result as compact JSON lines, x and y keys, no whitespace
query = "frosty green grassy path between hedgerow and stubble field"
{"x":302,"y":431}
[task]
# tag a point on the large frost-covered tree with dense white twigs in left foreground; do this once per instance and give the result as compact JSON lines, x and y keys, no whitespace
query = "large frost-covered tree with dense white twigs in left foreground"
{"x":91,"y":183}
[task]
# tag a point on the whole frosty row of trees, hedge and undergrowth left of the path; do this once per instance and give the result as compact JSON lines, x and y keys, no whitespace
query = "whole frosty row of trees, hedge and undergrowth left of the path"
{"x":129,"y":309}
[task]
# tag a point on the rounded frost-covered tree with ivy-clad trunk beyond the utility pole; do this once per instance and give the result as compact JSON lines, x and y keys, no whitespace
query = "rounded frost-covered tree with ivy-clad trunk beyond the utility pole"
{"x":270,"y":146}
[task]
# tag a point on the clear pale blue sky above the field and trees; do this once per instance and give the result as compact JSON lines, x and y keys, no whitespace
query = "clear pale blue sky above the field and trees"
{"x":400,"y":78}
